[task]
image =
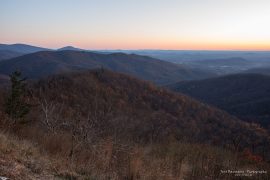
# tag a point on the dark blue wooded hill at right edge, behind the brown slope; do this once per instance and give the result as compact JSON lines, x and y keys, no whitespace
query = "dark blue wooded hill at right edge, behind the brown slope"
{"x":246,"y":96}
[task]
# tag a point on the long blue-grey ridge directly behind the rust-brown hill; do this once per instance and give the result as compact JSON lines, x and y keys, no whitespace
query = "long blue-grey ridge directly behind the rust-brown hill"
{"x":45,"y":63}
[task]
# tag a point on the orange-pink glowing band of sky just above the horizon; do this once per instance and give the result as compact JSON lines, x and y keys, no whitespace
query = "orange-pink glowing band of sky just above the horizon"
{"x":151,"y":44}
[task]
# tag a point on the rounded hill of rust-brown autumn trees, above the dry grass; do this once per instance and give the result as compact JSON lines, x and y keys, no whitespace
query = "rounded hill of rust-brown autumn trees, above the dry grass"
{"x":102,"y":103}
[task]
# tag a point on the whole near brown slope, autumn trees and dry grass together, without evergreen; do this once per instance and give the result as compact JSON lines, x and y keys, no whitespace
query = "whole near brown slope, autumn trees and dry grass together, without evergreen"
{"x":102,"y":125}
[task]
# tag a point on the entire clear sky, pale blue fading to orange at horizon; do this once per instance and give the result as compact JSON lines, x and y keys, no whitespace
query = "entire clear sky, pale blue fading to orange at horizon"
{"x":138,"y":24}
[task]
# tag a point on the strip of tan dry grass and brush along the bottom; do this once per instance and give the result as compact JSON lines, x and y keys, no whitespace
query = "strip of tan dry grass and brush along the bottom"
{"x":106,"y":159}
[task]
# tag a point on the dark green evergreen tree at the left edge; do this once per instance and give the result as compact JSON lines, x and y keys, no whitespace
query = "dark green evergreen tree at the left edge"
{"x":15,"y":105}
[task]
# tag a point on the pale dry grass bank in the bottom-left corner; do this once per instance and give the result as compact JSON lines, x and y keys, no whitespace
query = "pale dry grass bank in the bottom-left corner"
{"x":19,"y":159}
